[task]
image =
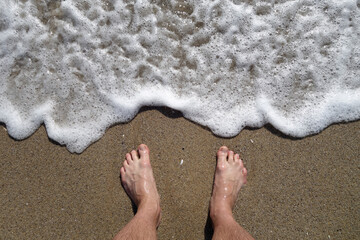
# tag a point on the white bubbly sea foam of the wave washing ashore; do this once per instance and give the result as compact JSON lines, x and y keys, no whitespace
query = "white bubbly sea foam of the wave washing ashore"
{"x":79,"y":66}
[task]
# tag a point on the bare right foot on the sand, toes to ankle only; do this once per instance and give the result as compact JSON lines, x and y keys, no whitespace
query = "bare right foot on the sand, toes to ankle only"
{"x":230,"y":176}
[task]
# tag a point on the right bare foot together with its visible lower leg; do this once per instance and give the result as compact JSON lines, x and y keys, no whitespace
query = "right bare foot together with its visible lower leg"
{"x":230,"y":176}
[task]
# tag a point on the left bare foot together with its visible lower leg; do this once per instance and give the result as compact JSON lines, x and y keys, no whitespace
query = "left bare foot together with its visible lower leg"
{"x":139,"y":183}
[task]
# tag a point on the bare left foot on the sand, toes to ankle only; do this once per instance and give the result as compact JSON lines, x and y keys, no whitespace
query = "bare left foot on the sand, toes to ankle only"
{"x":139,"y":183}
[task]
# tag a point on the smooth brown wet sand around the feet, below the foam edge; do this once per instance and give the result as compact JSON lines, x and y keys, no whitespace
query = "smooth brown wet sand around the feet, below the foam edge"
{"x":297,"y":189}
